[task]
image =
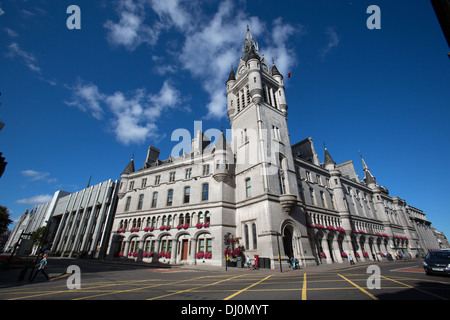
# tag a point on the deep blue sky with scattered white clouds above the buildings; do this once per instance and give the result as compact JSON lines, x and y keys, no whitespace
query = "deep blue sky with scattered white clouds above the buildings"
{"x":77,"y":103}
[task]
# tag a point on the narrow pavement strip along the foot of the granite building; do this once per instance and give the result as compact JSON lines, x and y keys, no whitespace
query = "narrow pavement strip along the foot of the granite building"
{"x":57,"y":268}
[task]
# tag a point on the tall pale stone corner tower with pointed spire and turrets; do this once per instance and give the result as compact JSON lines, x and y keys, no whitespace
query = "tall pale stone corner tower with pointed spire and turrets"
{"x":265,"y":178}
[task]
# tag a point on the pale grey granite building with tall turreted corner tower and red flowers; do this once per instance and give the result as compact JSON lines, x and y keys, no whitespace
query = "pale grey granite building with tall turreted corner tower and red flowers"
{"x":252,"y":193}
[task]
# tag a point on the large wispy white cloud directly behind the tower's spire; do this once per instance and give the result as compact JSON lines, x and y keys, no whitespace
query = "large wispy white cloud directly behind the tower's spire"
{"x":210,"y":44}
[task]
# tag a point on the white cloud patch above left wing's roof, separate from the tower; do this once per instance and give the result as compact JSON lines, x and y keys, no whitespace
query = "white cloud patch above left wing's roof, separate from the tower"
{"x":131,"y":119}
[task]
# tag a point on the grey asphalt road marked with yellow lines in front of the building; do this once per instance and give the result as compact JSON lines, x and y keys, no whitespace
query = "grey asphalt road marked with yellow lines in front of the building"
{"x":402,"y":280}
